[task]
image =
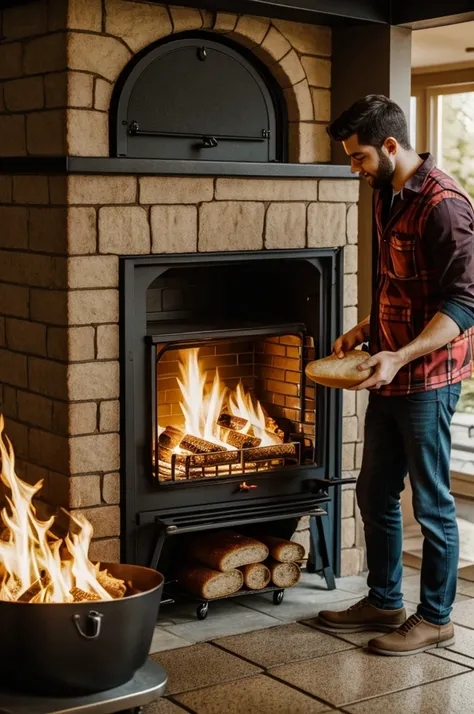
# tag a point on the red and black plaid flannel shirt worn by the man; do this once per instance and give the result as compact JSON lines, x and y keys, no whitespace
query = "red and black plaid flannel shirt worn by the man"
{"x":419,"y":274}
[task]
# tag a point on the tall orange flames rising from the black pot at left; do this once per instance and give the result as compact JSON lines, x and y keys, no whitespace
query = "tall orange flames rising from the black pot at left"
{"x":30,"y":553}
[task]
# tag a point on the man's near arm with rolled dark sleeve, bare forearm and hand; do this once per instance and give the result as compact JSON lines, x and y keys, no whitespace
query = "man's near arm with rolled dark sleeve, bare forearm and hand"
{"x":449,"y":240}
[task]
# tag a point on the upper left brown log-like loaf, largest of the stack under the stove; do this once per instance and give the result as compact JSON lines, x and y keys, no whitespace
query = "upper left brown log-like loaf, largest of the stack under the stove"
{"x":226,"y":550}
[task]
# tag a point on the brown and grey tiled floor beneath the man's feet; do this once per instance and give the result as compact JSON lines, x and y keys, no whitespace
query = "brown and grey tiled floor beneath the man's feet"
{"x":252,"y":657}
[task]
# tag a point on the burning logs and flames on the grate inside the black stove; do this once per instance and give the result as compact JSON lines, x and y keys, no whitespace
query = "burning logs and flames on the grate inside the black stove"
{"x":225,"y":432}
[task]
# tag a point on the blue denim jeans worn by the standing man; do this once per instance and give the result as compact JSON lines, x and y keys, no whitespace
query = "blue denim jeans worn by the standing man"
{"x":411,"y":435}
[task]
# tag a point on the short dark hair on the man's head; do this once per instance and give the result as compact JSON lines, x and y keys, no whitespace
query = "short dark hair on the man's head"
{"x":373,"y":119}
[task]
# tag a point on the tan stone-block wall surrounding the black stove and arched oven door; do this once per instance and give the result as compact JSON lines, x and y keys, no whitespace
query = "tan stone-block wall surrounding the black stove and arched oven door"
{"x":62,"y":236}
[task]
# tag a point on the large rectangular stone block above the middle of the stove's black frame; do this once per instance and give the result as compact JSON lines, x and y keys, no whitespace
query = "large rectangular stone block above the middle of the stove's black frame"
{"x":243,"y":224}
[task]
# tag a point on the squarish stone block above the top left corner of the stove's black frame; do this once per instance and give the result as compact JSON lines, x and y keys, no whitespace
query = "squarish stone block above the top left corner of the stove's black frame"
{"x":123,"y":230}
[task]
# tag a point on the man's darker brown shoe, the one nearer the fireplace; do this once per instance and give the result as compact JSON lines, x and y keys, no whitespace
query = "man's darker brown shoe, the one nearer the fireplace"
{"x":363,"y":616}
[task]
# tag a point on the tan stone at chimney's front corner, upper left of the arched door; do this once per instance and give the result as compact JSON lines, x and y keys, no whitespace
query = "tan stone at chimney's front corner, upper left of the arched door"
{"x":99,"y":54}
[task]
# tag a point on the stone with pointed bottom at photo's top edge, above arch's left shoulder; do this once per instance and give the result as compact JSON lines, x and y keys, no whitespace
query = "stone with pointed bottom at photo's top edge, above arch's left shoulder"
{"x":137,"y":24}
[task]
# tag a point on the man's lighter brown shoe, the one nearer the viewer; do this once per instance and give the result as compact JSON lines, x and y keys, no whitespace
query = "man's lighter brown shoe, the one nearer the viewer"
{"x":414,"y":636}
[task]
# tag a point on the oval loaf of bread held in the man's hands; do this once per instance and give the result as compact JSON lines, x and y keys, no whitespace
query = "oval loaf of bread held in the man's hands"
{"x":339,"y":373}
